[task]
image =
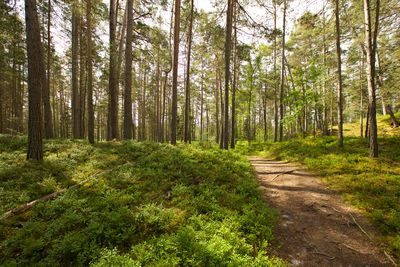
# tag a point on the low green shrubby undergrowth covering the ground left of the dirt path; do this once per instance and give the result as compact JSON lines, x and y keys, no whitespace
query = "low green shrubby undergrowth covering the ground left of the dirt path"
{"x":149,"y":204}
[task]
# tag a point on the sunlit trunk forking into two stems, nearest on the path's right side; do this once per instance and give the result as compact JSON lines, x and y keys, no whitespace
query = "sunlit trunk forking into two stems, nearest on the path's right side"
{"x":371,"y":48}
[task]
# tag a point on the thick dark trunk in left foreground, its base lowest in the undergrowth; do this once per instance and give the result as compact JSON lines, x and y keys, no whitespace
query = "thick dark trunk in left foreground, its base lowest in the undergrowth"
{"x":35,"y":66}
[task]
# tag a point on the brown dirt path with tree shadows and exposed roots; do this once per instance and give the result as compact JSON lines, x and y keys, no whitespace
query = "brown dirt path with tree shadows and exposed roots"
{"x":315,"y":227}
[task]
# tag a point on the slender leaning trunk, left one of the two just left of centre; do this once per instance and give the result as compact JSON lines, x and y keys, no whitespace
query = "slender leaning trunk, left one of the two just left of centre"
{"x":174,"y":110}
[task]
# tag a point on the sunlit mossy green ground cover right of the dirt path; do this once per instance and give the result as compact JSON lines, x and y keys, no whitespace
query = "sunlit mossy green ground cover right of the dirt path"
{"x":372,"y":185}
